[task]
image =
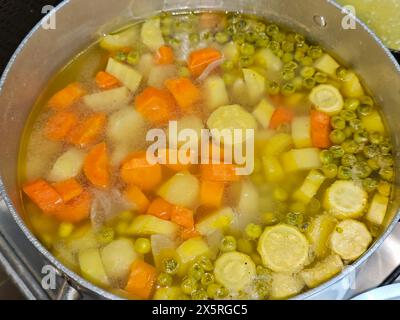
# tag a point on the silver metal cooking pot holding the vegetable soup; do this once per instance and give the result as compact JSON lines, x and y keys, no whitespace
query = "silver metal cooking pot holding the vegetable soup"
{"x":78,"y":23}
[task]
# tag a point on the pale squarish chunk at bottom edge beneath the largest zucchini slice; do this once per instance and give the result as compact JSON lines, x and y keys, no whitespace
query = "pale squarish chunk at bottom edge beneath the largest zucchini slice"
{"x":285,"y":285}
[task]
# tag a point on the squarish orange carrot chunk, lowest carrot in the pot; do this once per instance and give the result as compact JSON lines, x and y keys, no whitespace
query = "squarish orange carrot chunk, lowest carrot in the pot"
{"x":142,"y":279}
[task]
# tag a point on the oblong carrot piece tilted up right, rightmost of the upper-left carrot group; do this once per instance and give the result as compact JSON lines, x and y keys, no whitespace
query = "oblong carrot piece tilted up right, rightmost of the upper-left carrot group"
{"x":89,"y":131}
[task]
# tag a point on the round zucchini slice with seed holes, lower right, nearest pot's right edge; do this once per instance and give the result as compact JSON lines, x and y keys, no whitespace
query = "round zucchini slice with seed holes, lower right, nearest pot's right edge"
{"x":350,"y":239}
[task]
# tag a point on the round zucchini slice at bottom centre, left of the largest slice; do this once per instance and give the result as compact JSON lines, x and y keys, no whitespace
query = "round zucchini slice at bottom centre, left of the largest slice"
{"x":234,"y":270}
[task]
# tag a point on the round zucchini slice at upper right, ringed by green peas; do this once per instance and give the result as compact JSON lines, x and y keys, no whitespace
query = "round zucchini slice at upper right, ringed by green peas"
{"x":327,"y":99}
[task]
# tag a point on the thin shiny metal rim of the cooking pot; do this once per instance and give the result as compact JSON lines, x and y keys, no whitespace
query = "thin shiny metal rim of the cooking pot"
{"x":82,"y":283}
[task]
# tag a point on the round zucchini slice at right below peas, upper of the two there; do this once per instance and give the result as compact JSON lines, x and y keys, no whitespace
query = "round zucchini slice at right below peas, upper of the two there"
{"x":345,"y":199}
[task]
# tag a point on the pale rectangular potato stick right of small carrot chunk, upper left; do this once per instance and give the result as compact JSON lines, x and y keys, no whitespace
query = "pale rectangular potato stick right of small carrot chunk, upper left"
{"x":128,"y":76}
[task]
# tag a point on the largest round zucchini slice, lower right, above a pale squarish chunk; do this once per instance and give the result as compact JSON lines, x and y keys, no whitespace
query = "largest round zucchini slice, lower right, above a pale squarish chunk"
{"x":283,"y":248}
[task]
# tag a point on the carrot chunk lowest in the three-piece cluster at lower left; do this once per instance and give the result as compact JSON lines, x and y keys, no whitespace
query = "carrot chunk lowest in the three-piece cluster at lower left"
{"x":76,"y":210}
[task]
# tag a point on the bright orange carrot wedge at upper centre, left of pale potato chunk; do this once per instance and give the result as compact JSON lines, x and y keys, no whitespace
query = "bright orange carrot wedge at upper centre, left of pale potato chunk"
{"x":184,"y":91}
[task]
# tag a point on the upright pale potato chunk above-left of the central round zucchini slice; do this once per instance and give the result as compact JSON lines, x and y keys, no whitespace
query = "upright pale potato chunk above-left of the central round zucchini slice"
{"x":215,"y":93}
